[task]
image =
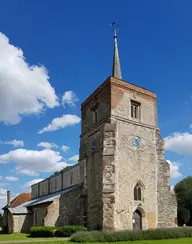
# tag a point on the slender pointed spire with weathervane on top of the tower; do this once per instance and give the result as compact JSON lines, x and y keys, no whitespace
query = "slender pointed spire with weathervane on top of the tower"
{"x":116,"y":72}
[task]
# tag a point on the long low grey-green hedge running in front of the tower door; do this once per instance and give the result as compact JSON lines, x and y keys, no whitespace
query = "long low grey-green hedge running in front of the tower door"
{"x":157,"y":234}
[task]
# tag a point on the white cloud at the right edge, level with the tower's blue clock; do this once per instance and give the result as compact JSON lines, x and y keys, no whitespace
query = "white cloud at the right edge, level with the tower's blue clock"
{"x":180,"y":143}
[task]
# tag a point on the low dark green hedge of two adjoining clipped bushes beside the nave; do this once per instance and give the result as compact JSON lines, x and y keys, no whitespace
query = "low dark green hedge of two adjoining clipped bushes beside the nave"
{"x":51,"y":231}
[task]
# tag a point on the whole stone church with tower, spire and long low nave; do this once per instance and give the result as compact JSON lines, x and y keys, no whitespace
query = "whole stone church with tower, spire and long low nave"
{"x":121,"y":181}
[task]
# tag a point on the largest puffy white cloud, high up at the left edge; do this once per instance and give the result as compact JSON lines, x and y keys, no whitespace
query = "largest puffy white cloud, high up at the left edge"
{"x":24,"y":89}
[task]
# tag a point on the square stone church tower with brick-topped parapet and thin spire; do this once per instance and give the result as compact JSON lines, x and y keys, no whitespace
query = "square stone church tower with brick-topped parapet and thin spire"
{"x":122,"y":166}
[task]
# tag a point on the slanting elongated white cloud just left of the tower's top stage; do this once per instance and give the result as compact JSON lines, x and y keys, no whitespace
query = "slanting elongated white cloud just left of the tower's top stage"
{"x":62,"y":122}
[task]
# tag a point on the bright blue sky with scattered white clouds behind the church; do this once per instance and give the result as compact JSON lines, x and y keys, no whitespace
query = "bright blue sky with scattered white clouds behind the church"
{"x":53,"y":54}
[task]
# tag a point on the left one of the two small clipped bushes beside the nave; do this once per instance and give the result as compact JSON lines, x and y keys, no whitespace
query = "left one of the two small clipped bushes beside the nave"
{"x":42,"y":231}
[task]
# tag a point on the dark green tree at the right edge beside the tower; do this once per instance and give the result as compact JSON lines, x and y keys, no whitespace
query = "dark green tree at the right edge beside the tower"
{"x":183,"y":191}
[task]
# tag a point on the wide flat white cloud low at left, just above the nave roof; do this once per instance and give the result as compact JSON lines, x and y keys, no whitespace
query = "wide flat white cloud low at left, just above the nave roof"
{"x":34,"y":161}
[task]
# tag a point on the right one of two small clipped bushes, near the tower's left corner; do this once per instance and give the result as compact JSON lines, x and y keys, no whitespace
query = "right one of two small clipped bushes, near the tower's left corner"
{"x":66,"y":231}
